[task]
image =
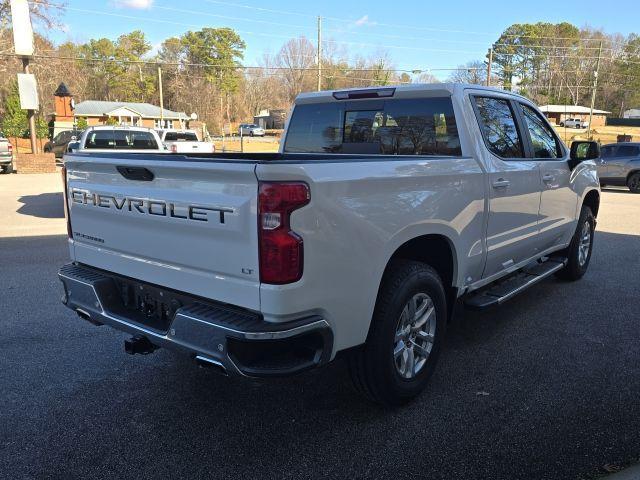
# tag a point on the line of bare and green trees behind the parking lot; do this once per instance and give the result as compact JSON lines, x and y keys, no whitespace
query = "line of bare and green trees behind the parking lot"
{"x":203,"y":71}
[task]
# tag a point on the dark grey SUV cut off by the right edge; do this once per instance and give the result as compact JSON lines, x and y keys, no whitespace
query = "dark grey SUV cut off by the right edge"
{"x":619,"y":165}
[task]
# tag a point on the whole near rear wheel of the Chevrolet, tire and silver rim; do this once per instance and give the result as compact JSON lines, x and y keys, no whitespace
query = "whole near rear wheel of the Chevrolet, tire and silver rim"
{"x":405,"y":337}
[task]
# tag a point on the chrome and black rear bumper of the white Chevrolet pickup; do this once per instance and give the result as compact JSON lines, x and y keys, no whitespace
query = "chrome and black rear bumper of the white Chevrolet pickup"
{"x":237,"y":341}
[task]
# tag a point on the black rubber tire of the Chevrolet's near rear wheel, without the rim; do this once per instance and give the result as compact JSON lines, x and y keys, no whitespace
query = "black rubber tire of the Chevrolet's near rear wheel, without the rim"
{"x":373,"y":367}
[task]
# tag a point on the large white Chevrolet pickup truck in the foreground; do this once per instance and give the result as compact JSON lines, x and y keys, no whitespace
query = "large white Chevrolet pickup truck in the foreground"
{"x":384,"y":209}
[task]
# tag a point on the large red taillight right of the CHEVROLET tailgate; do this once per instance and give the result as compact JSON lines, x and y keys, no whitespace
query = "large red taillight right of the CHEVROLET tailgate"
{"x":281,"y":249}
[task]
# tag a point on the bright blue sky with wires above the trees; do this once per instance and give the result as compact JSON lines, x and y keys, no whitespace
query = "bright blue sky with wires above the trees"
{"x":416,"y":35}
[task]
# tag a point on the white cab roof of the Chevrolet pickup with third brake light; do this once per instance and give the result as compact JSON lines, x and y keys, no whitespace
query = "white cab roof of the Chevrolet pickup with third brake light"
{"x":412,"y":90}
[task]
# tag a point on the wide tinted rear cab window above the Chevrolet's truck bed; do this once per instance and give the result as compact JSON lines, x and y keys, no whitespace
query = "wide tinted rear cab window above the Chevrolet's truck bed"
{"x":424,"y":126}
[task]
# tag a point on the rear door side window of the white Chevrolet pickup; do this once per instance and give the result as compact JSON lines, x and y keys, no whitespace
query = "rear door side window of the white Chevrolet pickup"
{"x":498,"y":127}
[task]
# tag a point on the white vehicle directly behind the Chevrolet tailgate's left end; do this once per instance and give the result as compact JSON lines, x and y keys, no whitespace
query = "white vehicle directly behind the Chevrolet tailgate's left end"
{"x":107,"y":138}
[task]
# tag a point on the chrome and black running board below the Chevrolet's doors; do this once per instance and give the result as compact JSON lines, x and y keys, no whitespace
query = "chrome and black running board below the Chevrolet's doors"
{"x":498,"y":293}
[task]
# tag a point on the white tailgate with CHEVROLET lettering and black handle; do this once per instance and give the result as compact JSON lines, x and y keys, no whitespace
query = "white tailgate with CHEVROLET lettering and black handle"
{"x":192,"y":227}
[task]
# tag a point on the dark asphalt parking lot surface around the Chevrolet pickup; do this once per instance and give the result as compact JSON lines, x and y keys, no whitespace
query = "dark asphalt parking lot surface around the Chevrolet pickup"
{"x":545,"y":387}
